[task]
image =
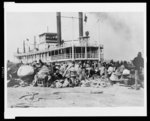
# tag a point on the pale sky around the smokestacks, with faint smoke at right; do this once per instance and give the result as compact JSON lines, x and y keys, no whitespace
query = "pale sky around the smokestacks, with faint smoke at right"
{"x":121,"y":33}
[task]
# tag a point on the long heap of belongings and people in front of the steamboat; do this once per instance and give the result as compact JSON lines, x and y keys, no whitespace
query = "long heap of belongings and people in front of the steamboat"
{"x":68,"y":75}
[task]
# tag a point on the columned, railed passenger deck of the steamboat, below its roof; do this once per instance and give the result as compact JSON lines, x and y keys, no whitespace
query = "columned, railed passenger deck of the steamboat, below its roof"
{"x":64,"y":54}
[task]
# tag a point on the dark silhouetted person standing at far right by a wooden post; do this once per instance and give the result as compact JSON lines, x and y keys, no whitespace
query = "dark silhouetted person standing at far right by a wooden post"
{"x":138,"y":62}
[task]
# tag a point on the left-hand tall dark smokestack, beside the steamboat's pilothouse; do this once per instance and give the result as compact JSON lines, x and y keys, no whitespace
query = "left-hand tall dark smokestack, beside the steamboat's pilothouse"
{"x":59,"y":28}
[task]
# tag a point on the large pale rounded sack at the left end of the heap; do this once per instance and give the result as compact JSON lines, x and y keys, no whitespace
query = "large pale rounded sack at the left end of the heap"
{"x":25,"y":70}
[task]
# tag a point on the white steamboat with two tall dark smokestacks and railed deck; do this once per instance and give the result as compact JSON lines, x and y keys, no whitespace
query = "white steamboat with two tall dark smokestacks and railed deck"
{"x":52,"y":48}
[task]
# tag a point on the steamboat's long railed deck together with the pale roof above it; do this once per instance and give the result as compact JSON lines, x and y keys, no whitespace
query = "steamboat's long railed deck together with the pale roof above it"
{"x":70,"y":50}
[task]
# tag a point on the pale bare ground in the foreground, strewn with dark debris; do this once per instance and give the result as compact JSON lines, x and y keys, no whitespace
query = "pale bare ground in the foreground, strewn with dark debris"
{"x":114,"y":96}
